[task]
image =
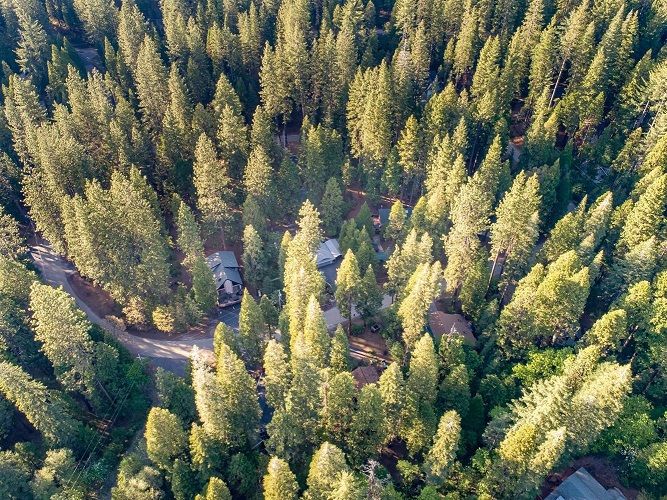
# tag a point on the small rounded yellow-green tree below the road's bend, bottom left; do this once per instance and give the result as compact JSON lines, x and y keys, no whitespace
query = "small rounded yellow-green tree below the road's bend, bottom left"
{"x":165,"y":437}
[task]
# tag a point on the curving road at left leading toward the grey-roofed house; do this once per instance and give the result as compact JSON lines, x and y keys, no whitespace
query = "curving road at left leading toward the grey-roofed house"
{"x":168,"y":354}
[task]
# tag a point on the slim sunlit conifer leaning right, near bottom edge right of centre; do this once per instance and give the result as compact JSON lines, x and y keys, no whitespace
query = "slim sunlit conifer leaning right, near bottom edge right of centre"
{"x":442,"y":454}
